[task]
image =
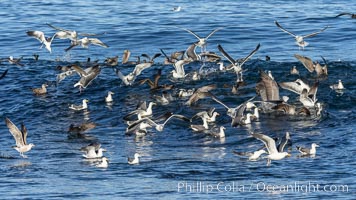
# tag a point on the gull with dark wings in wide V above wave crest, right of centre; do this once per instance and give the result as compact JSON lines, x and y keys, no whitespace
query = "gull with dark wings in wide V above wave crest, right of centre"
{"x":237,"y":64}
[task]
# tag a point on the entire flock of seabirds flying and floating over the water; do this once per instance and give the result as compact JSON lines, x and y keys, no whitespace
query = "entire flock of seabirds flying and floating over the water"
{"x":143,"y":120}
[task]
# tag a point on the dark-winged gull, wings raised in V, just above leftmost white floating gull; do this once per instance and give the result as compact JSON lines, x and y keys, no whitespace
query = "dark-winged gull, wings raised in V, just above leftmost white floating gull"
{"x":86,"y":76}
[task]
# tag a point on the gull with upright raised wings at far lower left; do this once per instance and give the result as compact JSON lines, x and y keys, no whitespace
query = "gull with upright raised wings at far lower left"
{"x":20,"y":137}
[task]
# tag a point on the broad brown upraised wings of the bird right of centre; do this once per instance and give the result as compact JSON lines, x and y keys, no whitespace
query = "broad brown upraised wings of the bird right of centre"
{"x":267,"y":88}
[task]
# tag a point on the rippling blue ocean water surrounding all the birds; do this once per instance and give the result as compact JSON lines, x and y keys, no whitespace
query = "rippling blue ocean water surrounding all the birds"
{"x":175,"y":163}
